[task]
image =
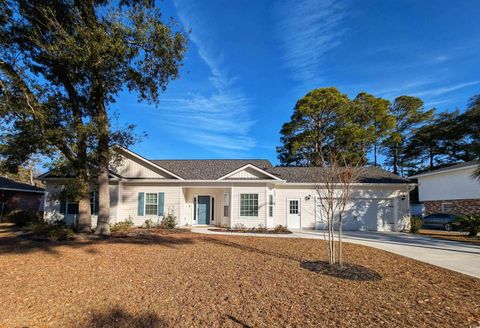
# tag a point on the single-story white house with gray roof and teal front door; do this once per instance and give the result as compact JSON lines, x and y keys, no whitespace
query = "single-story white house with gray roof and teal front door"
{"x":235,"y":192}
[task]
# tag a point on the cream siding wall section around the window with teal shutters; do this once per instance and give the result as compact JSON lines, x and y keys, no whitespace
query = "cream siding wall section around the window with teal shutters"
{"x":128,"y":206}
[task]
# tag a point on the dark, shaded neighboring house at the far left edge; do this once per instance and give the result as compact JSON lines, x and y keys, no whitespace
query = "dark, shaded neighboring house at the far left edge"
{"x":19,"y":196}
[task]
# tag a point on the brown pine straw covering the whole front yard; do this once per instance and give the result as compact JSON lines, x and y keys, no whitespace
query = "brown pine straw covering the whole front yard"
{"x":185,"y":280}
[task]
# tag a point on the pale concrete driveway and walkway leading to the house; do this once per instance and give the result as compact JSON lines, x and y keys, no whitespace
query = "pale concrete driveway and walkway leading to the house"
{"x":456,"y":256}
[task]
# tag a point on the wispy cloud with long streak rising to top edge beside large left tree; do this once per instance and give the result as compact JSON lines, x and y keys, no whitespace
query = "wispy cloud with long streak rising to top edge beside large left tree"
{"x":220,"y":119}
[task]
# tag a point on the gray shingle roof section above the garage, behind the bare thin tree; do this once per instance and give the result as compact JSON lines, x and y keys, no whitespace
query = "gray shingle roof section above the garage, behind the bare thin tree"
{"x":310,"y":175}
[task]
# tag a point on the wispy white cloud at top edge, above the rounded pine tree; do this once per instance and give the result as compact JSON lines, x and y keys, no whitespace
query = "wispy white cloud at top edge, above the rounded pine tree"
{"x":307,"y":30}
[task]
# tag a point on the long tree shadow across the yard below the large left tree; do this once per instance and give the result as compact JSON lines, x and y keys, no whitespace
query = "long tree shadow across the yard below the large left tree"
{"x":23,"y":244}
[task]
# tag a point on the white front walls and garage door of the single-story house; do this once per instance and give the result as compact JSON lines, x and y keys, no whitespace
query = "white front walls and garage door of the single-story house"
{"x":373,"y":207}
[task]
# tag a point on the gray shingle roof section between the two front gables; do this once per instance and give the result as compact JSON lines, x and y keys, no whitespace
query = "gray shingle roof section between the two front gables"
{"x":208,"y":169}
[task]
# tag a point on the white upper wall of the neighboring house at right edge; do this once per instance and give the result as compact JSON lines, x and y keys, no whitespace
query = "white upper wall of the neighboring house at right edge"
{"x":449,"y":185}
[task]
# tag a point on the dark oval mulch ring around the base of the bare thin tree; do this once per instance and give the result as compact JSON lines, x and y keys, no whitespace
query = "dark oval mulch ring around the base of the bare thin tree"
{"x":349,"y":271}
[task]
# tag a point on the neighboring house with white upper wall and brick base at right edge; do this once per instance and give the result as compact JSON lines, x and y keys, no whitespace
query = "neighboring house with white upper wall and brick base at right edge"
{"x":452,"y":189}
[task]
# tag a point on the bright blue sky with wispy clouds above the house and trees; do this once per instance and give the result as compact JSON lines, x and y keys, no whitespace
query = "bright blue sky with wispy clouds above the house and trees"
{"x":249,"y":62}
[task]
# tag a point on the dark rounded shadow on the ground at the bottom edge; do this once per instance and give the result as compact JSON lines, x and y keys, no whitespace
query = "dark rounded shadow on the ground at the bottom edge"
{"x":119,"y":318}
